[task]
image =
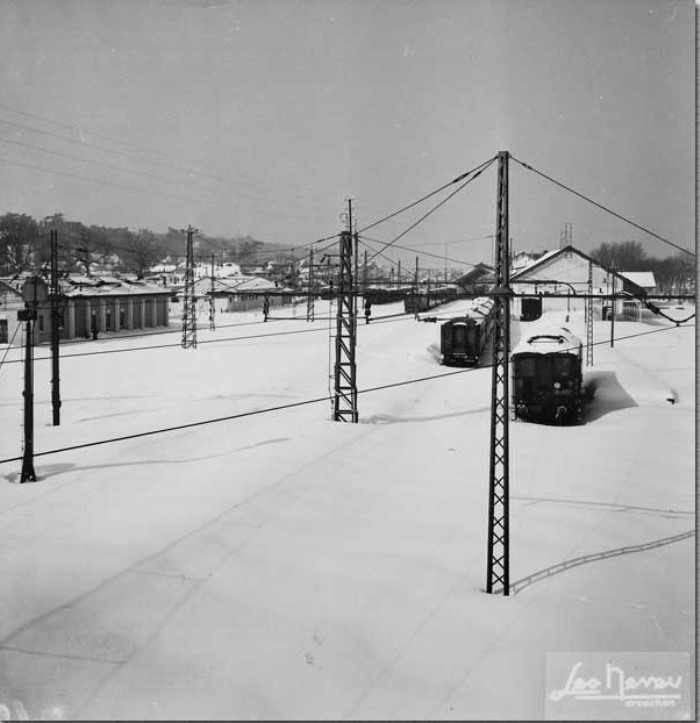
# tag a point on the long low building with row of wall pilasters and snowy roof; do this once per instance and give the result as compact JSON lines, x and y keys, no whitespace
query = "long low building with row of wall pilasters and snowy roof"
{"x":88,"y":306}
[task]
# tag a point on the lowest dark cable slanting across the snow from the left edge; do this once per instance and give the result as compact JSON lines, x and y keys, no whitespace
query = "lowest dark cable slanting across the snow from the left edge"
{"x":281,"y":407}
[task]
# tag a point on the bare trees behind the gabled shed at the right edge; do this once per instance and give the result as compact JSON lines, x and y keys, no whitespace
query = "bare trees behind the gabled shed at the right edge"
{"x":671,"y":273}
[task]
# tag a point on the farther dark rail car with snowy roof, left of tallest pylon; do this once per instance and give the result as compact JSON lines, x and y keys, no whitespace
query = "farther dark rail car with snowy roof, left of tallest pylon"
{"x":463,"y":339}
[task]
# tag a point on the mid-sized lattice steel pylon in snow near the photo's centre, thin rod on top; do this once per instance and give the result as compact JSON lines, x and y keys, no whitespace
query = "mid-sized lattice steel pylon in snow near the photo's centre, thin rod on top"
{"x":345,"y":377}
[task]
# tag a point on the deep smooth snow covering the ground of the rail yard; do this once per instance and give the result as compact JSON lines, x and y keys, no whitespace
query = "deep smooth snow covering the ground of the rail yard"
{"x":281,"y":565}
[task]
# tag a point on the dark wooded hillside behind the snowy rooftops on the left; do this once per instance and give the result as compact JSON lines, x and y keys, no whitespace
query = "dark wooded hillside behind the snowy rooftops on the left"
{"x":25,"y":246}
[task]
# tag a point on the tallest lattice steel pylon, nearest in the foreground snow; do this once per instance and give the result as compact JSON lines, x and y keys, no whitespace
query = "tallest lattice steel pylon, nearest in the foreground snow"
{"x":497,"y":579}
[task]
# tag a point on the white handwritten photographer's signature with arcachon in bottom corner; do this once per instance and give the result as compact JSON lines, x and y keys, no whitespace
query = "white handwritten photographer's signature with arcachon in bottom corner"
{"x":616,"y":684}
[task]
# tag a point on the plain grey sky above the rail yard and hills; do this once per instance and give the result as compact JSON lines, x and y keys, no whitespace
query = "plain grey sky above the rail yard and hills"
{"x":262,"y":117}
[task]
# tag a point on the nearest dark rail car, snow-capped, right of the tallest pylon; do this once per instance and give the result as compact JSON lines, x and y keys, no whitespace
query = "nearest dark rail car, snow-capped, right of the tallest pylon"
{"x":547,"y":377}
